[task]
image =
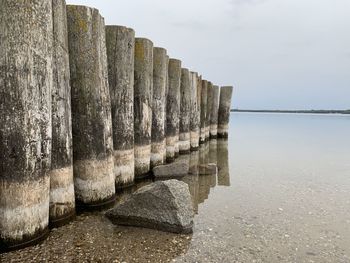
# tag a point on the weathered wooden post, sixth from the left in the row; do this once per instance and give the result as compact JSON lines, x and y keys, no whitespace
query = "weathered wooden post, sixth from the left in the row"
{"x":160,"y":73}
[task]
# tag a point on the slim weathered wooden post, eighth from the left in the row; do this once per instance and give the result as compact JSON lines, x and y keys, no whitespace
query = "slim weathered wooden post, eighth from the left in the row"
{"x":185,"y":113}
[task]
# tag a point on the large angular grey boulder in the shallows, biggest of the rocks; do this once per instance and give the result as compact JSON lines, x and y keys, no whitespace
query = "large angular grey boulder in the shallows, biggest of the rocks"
{"x":163,"y":205}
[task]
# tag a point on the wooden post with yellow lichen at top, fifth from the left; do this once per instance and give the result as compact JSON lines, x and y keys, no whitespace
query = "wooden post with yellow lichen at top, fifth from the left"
{"x":143,"y":76}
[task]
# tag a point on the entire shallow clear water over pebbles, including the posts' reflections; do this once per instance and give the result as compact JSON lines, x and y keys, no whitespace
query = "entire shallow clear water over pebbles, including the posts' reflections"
{"x":282,"y":194}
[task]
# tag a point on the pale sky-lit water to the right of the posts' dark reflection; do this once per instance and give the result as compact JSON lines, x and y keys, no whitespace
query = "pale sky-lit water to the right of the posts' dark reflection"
{"x":289,"y":193}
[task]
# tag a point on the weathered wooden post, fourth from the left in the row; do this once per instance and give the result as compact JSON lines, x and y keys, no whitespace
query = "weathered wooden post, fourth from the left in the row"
{"x":120,"y":43}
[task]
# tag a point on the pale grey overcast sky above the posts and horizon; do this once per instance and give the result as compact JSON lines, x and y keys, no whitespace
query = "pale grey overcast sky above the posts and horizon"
{"x":278,"y":54}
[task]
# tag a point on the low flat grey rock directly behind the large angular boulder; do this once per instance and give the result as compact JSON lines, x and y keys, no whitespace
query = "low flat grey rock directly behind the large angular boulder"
{"x":171,"y":170}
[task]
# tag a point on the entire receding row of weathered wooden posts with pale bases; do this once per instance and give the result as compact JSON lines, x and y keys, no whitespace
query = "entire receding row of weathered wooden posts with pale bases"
{"x":86,"y":109}
